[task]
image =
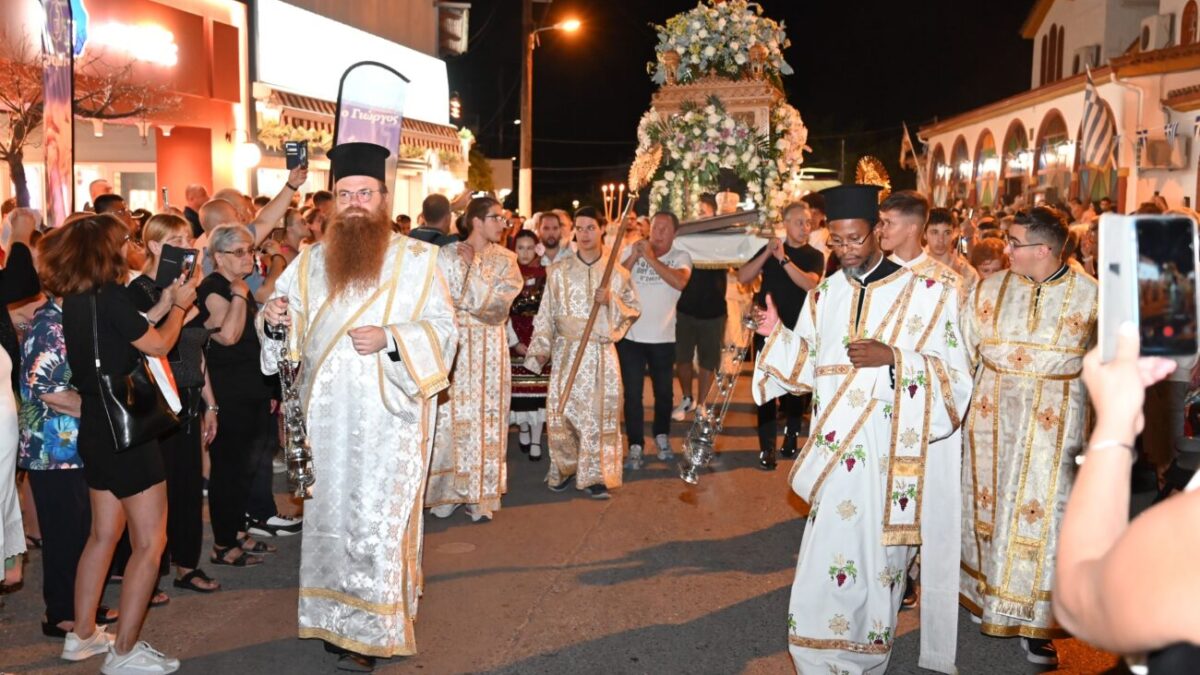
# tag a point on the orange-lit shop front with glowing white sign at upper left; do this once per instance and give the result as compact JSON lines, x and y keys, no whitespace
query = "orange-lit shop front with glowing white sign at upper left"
{"x":189,"y":57}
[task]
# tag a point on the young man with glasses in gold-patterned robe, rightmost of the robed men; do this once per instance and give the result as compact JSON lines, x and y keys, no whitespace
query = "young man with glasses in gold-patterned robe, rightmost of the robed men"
{"x":1028,"y":330}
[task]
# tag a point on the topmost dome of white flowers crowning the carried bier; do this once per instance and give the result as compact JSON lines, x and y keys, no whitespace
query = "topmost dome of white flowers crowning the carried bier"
{"x":719,"y":38}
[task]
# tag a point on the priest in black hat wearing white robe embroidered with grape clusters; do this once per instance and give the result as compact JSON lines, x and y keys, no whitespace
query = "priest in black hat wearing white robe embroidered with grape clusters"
{"x":880,"y":349}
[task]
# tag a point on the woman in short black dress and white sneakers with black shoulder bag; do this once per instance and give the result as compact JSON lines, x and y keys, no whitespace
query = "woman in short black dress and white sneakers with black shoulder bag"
{"x":85,"y":264}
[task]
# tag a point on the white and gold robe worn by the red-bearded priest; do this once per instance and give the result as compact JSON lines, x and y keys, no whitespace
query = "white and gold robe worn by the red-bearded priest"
{"x":370,"y":423}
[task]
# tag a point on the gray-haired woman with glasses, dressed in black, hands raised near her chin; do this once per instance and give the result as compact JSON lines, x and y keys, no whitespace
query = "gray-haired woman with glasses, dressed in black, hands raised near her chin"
{"x":227,"y":312}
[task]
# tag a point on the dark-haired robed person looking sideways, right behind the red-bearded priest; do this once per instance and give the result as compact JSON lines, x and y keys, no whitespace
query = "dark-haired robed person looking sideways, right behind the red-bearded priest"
{"x":472,"y":437}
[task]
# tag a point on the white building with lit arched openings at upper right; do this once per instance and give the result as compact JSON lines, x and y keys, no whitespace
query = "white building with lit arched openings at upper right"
{"x":1145,"y":62}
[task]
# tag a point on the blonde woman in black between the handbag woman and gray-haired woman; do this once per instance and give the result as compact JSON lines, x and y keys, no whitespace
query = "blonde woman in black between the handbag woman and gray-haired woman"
{"x":182,"y":450}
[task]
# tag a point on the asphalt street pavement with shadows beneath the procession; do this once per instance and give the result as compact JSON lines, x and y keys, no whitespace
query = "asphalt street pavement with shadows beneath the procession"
{"x":662,"y":580}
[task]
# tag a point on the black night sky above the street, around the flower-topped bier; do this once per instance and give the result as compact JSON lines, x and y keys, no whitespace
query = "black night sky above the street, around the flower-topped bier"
{"x":859,"y":75}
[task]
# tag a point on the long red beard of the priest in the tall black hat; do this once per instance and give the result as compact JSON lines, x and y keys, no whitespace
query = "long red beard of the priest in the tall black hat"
{"x":356,"y":244}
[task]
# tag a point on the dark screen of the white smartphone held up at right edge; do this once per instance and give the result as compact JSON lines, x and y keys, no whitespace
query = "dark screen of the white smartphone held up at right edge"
{"x":1167,"y":285}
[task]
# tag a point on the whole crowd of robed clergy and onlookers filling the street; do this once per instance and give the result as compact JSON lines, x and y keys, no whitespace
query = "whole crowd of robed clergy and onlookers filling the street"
{"x":928,"y":367}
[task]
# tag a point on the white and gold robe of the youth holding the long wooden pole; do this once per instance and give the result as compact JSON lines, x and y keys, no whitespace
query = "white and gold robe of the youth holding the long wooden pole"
{"x":585,"y":440}
